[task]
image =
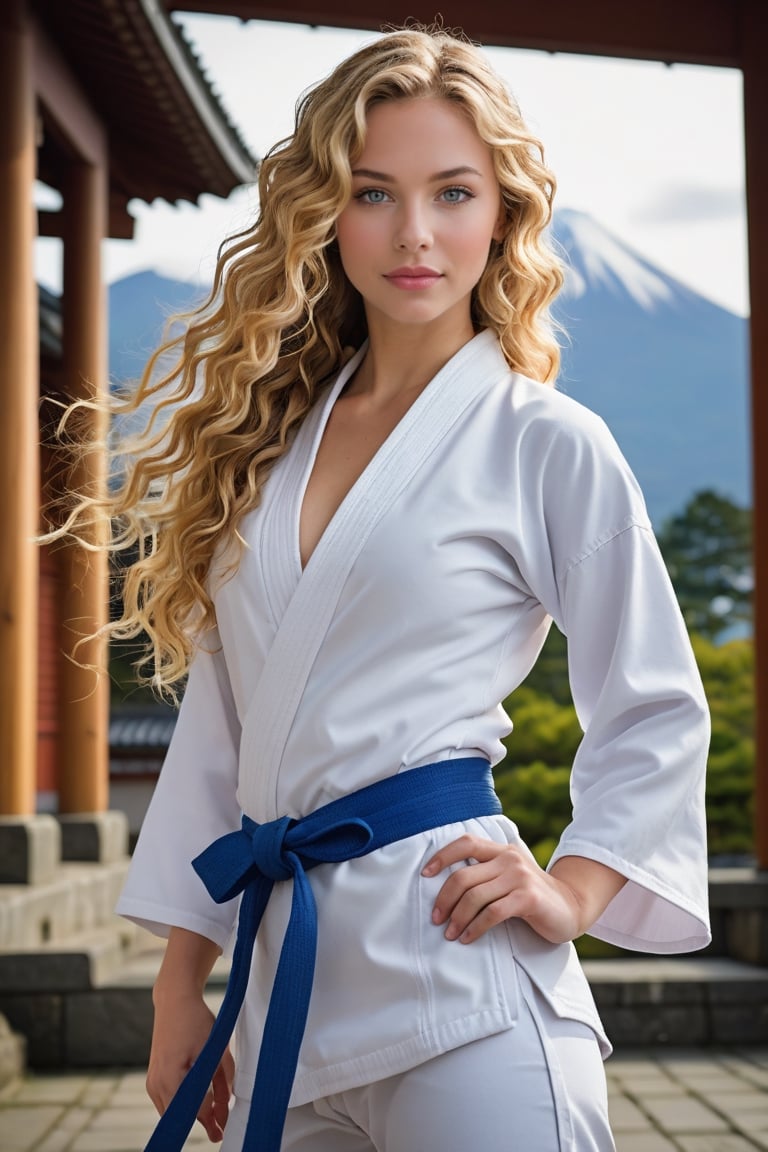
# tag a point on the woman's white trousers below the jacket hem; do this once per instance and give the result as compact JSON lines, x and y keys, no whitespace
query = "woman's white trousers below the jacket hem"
{"x":539,"y":1087}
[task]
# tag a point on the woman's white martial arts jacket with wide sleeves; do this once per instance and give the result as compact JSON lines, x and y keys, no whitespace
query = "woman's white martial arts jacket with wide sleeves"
{"x":495,"y":507}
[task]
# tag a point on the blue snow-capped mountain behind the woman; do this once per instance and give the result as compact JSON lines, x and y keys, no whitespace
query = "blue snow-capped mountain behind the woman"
{"x":663,"y":366}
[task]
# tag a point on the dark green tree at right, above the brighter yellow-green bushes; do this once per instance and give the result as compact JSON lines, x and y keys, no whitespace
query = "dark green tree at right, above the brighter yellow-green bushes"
{"x":708,"y":549}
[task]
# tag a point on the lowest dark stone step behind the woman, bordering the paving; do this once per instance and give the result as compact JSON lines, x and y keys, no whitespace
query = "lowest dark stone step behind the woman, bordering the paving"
{"x":693,"y":1002}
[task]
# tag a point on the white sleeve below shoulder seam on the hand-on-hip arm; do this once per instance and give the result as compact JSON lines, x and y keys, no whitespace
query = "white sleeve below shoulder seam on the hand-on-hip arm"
{"x":638,"y":777}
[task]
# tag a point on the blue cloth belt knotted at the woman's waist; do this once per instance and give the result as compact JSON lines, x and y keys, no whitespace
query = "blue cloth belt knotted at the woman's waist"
{"x":250,"y":862}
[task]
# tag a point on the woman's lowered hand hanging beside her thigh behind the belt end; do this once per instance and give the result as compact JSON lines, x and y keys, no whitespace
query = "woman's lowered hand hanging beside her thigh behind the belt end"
{"x":183,"y":1025}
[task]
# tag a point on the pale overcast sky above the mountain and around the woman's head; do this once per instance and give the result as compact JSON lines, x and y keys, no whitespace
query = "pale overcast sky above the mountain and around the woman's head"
{"x":655,"y":153}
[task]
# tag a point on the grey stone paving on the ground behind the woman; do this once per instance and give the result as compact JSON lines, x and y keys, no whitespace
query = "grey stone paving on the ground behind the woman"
{"x":670,"y":1101}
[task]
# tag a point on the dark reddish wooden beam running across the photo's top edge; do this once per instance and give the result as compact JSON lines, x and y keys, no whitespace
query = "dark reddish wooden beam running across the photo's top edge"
{"x":693,"y":32}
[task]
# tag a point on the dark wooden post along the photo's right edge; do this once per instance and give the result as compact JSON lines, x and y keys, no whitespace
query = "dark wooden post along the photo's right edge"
{"x":756,"y":124}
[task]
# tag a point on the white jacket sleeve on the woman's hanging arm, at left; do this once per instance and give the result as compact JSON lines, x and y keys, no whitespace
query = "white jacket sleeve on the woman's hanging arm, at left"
{"x":194,"y":804}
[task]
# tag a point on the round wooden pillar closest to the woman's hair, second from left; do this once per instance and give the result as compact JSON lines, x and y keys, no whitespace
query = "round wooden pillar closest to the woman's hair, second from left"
{"x":83,"y":751}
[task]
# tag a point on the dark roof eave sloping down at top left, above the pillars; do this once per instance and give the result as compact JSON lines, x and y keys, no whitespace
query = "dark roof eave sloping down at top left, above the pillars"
{"x":169,"y":135}
